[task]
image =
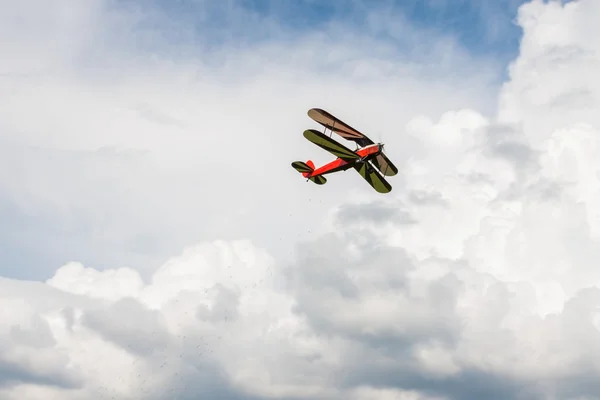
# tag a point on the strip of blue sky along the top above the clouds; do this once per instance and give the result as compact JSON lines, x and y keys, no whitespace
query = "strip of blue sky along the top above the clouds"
{"x":483,"y":28}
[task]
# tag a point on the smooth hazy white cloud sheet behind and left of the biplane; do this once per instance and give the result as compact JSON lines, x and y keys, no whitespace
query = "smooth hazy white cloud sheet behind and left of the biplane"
{"x":125,"y":154}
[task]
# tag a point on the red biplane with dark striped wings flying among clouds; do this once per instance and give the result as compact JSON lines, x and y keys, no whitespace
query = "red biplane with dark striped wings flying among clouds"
{"x":368,"y":159}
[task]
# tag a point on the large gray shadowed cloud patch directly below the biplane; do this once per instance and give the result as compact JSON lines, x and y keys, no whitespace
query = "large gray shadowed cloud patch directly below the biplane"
{"x":333,"y":291}
